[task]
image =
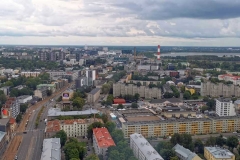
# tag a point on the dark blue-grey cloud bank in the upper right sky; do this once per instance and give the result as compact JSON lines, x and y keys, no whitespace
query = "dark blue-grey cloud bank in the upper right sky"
{"x":196,"y":9}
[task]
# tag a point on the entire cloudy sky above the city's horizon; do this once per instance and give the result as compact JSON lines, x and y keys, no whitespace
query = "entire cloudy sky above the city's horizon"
{"x":120,"y":22}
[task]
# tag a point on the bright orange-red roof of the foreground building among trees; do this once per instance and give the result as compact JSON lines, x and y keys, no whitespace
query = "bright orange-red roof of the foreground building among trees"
{"x":104,"y":139}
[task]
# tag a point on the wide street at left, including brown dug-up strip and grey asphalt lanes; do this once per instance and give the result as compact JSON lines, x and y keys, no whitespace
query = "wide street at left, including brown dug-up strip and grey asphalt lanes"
{"x":28,"y":146}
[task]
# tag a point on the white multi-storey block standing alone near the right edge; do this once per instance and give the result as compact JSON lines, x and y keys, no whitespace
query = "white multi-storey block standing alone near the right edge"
{"x":225,"y":107}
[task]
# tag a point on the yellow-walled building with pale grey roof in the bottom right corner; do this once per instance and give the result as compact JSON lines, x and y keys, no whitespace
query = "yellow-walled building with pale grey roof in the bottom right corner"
{"x":217,"y":153}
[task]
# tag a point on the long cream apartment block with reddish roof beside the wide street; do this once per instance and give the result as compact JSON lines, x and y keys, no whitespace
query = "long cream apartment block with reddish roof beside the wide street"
{"x":73,"y":128}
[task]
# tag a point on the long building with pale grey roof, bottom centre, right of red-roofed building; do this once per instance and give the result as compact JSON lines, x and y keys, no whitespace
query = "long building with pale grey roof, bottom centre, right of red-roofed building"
{"x":142,"y":149}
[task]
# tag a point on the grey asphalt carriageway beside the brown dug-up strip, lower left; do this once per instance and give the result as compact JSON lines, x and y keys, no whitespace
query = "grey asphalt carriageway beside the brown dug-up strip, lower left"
{"x":31,"y":146}
